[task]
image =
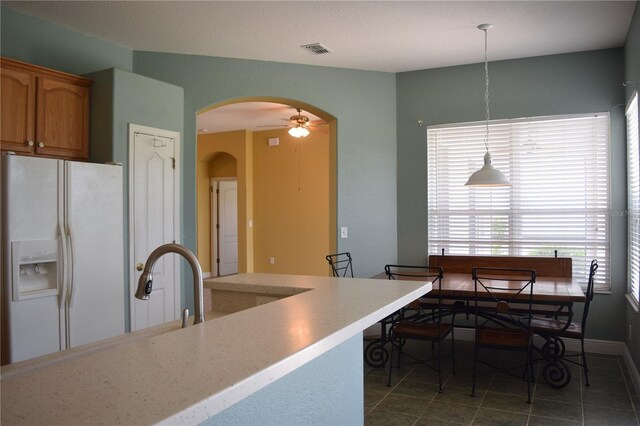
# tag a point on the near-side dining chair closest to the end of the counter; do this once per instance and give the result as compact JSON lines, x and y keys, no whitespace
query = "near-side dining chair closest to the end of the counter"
{"x":421,"y":325}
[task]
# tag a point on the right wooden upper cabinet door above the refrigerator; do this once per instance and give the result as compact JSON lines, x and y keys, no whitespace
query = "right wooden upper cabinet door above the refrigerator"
{"x":62,"y":119}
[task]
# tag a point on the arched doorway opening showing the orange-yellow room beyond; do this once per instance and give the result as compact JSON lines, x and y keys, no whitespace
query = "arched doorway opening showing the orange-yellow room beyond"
{"x":286,"y":188}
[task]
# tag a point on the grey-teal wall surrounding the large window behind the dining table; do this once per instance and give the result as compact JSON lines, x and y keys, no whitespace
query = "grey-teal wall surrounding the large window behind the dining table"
{"x":561,"y":84}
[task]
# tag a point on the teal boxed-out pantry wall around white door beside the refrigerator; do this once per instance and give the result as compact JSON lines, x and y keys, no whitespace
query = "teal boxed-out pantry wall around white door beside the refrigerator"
{"x":120,"y":98}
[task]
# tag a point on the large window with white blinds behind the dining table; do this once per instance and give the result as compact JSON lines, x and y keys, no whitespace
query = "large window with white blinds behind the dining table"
{"x":559,"y":198}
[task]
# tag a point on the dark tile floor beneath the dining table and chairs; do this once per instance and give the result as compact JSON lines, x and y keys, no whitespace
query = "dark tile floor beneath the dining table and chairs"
{"x":413,"y":397}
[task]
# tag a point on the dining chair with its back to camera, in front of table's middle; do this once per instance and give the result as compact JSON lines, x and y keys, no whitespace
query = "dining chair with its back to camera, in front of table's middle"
{"x":497,"y":291}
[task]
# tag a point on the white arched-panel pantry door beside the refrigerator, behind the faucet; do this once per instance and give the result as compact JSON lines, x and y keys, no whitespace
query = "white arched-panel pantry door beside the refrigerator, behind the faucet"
{"x":153,"y":204}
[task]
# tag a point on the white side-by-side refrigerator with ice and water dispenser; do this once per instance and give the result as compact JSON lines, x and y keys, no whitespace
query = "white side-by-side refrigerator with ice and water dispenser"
{"x":62,"y":255}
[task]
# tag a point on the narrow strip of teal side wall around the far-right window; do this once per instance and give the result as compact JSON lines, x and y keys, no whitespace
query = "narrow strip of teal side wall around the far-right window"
{"x":632,"y":73}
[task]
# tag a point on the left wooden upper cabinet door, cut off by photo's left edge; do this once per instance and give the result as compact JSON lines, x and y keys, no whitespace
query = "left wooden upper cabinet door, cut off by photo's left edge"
{"x":18,"y":109}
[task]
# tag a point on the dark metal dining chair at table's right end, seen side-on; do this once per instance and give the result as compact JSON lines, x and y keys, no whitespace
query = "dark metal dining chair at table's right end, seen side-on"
{"x":554,"y":329}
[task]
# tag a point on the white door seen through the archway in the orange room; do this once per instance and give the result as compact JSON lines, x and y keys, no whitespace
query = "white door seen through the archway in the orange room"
{"x":225,"y":226}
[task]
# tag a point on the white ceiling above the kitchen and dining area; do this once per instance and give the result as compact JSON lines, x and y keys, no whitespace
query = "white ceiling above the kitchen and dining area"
{"x":388,"y":36}
